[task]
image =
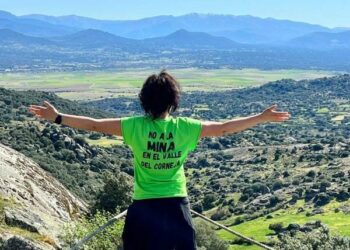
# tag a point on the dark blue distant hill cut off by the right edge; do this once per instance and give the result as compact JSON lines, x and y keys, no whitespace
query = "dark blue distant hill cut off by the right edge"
{"x":323,"y":41}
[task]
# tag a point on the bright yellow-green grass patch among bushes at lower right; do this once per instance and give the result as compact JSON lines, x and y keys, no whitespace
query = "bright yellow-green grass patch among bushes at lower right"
{"x":259,"y":228}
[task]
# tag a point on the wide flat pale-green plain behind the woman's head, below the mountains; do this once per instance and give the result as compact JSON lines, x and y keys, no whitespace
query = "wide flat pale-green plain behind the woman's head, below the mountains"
{"x":96,"y":85}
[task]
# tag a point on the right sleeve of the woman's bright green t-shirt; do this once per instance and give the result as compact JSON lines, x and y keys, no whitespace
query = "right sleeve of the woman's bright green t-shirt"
{"x":193,"y":129}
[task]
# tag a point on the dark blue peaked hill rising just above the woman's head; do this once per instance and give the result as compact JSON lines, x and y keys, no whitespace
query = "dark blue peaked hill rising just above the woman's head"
{"x":191,"y":40}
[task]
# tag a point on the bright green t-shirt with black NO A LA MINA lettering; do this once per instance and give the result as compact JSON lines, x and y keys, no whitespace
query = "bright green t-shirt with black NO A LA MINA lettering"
{"x":160,"y":148}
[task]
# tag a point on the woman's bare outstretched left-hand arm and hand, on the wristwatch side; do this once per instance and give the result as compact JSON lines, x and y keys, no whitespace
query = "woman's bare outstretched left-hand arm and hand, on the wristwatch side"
{"x":106,"y":126}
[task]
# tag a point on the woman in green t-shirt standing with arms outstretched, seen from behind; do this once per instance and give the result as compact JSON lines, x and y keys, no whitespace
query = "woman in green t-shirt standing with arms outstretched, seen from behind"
{"x":159,"y":217}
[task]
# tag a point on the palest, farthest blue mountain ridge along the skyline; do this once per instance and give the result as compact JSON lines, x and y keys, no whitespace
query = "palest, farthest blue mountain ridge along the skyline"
{"x":245,"y":29}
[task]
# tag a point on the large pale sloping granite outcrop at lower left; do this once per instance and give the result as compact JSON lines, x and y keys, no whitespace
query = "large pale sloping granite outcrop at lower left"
{"x":36,"y":202}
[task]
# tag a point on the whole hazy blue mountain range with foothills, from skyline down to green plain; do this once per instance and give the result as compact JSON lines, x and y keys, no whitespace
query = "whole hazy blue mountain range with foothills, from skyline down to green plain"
{"x":194,"y":40}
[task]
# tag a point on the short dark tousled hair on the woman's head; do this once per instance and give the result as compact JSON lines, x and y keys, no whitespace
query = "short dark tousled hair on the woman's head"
{"x":160,"y":93}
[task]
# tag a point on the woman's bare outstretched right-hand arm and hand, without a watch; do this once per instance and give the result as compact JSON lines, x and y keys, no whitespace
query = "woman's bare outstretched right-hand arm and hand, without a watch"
{"x":240,"y":124}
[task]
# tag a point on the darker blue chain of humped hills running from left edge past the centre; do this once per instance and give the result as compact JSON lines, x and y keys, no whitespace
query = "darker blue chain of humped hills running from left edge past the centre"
{"x":93,"y":39}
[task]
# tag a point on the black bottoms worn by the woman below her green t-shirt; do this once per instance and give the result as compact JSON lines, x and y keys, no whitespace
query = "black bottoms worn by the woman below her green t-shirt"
{"x":159,"y":224}
